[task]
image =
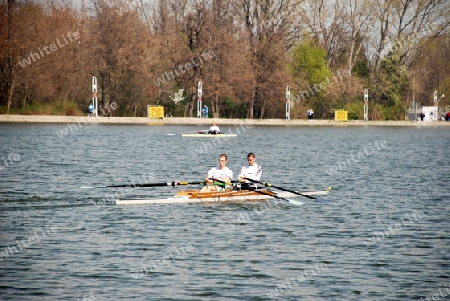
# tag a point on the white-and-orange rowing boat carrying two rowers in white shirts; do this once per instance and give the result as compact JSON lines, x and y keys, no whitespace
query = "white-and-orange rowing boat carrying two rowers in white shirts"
{"x":232,"y":196}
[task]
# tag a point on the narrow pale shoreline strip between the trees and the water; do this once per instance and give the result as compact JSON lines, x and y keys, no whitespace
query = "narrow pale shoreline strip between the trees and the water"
{"x":207,"y":121}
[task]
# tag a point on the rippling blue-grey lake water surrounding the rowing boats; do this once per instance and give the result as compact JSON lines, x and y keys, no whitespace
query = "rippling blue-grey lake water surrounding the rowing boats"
{"x":384,"y":236}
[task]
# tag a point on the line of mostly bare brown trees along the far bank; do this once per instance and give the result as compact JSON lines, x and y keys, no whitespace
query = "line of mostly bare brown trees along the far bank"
{"x":245,"y":52}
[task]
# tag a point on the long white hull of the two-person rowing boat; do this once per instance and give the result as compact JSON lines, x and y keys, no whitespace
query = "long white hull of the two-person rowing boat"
{"x":218,"y":198}
